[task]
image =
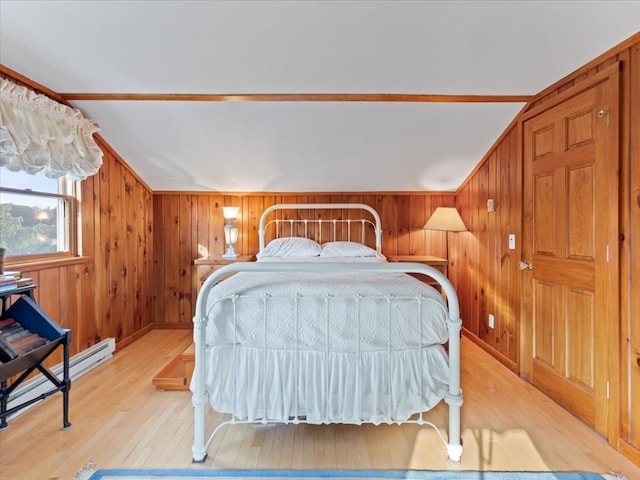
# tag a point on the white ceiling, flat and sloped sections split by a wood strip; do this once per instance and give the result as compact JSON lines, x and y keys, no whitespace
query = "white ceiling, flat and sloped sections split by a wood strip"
{"x":308,"y":47}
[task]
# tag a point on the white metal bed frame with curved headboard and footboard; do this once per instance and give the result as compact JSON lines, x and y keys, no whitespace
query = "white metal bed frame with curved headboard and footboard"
{"x":200,"y":398}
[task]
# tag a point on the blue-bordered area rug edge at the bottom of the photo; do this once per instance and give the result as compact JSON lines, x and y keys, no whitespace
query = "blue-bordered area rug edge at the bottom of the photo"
{"x":168,"y":474}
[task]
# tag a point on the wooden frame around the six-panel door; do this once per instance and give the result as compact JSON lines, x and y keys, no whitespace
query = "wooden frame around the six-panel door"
{"x":610,"y":418}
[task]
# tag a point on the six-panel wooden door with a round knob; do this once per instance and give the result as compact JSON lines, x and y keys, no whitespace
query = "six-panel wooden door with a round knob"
{"x":570,"y":240}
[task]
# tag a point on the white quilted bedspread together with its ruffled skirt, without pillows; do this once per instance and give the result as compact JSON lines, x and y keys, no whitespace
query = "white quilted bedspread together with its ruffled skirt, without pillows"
{"x":332,"y":347}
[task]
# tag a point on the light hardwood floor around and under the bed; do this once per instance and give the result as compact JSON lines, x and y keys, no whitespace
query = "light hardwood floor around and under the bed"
{"x":121,"y":421}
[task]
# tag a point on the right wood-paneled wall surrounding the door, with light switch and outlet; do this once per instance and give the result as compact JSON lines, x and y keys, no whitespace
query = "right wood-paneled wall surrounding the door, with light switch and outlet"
{"x":486,"y":272}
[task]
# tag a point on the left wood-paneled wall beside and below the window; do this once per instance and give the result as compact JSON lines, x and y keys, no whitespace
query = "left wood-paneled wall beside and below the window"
{"x":106,"y":292}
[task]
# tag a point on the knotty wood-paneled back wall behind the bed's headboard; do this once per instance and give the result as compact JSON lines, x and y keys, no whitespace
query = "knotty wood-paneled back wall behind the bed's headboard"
{"x":182,"y":221}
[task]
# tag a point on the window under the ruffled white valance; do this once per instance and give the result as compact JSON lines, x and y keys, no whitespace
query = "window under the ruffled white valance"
{"x":37,"y":215}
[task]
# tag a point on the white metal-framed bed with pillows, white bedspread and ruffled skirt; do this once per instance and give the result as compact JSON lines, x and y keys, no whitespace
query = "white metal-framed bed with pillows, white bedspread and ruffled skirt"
{"x":322,"y":329}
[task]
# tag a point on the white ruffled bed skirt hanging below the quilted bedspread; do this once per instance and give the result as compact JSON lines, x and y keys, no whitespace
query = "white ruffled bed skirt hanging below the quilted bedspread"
{"x":325,"y":387}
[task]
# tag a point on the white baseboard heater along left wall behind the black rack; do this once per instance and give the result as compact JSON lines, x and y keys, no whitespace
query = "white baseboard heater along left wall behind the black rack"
{"x":79,"y":364}
